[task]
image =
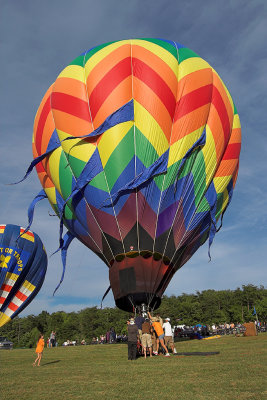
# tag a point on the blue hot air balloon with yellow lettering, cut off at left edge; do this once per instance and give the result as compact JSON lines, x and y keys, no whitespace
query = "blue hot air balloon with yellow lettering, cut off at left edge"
{"x":23,"y":264}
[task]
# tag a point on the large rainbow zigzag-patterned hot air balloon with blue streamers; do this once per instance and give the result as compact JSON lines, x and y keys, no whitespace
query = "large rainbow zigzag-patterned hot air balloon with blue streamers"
{"x":136,"y":145}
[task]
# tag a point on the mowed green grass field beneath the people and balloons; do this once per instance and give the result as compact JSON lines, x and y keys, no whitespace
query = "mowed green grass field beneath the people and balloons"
{"x":103,"y":372}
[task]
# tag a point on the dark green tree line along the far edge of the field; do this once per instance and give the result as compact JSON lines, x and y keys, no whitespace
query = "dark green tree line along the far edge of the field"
{"x":206,"y":307}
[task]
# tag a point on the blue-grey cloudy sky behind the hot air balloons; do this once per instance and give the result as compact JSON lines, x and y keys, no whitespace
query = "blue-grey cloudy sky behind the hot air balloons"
{"x":38,"y":39}
